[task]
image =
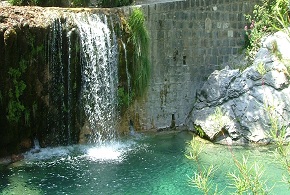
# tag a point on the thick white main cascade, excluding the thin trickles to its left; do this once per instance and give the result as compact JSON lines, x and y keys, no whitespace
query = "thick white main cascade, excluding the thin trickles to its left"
{"x":99,"y":60}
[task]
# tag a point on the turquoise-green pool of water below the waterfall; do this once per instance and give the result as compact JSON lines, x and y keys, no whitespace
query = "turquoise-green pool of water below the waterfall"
{"x":147,"y":164}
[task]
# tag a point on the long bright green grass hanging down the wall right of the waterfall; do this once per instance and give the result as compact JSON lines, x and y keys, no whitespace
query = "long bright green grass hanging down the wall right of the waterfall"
{"x":140,"y":41}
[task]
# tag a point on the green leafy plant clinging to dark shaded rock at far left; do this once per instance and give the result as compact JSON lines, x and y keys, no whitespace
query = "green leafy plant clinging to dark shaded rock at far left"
{"x":16,"y":108}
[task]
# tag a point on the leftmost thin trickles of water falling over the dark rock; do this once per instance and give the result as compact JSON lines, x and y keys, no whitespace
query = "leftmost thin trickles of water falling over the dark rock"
{"x":56,"y":116}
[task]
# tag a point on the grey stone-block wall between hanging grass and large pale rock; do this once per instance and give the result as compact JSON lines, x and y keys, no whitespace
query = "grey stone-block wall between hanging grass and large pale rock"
{"x":189,"y":40}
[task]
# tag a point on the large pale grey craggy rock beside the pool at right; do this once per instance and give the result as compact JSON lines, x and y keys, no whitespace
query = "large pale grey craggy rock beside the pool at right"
{"x":239,"y":107}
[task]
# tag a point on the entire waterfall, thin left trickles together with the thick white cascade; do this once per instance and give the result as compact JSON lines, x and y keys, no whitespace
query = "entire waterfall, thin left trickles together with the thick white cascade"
{"x":83,"y":71}
